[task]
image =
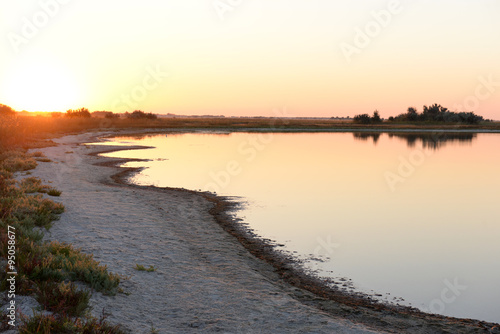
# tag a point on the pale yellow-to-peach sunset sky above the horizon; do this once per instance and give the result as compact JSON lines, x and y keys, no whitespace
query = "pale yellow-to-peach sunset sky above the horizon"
{"x":308,"y":58}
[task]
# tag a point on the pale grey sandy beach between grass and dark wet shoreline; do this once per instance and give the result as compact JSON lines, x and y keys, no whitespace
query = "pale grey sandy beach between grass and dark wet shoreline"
{"x":205,"y":279}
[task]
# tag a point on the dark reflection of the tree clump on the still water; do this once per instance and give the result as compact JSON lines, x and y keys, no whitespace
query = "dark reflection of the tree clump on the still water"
{"x":430,"y":140}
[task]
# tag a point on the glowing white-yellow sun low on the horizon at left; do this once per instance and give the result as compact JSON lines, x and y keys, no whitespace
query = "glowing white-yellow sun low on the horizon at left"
{"x":41,"y":86}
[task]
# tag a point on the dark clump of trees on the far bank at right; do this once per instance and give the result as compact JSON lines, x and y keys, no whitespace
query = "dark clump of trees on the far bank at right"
{"x":430,"y":114}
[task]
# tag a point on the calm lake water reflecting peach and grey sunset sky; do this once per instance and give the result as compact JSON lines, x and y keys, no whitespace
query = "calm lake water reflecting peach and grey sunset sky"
{"x":400,"y":216}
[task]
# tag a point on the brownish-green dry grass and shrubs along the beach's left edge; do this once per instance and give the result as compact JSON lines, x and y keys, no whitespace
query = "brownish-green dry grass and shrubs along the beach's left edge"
{"x":43,"y":268}
